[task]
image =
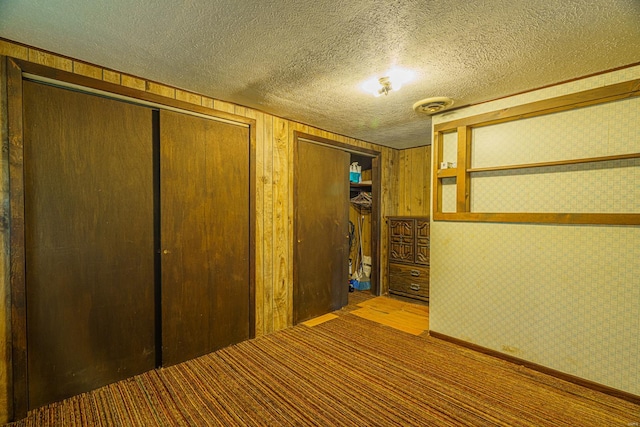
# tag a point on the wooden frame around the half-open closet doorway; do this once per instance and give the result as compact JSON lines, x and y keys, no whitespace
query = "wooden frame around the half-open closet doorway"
{"x":376,"y":186}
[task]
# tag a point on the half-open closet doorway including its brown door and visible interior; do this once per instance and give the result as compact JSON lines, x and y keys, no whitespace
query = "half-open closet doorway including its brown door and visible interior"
{"x":322,"y":201}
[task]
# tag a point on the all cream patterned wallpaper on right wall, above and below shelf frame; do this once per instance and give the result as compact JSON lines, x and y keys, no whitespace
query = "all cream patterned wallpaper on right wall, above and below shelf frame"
{"x":563,"y":296}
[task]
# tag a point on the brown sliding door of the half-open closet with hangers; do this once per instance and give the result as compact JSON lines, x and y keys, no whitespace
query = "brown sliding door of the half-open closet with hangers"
{"x":321,"y":269}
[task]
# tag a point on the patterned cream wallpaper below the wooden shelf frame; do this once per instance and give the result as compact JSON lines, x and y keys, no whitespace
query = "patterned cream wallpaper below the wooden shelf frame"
{"x":566,"y":297}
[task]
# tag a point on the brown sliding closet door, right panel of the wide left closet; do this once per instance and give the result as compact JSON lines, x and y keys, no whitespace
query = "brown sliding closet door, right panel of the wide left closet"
{"x":204,"y":180}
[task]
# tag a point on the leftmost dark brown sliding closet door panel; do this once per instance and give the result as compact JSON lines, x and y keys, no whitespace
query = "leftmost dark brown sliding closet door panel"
{"x":88,"y":241}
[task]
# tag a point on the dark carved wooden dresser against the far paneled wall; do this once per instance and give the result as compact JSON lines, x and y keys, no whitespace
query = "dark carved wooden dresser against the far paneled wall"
{"x":409,"y":256}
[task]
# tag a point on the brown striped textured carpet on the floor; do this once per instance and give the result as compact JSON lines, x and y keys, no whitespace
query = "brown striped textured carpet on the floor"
{"x":345,"y":372}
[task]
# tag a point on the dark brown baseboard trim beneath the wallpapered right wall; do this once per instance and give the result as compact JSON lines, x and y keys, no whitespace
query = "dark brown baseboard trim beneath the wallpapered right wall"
{"x":540,"y":368}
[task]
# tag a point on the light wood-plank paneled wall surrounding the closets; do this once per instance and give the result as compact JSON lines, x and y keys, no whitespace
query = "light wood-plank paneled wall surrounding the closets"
{"x":403,"y":192}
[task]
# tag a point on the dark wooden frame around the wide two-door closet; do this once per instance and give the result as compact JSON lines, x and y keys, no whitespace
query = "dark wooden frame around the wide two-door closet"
{"x":16,"y":70}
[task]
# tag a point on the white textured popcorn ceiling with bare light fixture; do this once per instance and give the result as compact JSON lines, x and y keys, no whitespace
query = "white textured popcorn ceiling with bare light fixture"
{"x":305,"y":59}
